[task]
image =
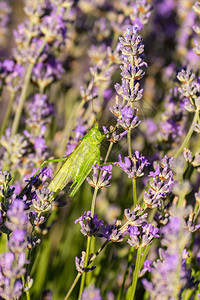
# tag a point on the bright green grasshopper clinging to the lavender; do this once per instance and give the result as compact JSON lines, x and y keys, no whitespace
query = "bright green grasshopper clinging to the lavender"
{"x":78,"y":164}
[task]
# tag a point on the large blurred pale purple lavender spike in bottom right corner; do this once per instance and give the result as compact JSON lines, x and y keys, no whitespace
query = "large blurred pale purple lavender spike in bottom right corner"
{"x":169,"y":274}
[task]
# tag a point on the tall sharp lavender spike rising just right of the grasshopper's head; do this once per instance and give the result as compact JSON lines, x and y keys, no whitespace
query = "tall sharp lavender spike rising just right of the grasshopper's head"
{"x":132,"y":53}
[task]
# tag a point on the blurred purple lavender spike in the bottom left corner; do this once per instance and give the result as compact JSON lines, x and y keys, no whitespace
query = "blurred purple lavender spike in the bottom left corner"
{"x":12,"y":264}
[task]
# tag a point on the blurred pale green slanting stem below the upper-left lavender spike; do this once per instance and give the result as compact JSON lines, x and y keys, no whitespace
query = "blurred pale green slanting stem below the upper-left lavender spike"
{"x":22,"y":100}
